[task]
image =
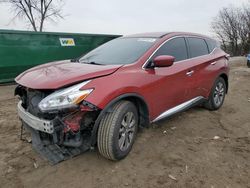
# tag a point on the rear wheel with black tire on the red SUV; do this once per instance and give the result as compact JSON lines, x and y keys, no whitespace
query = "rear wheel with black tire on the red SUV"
{"x":213,"y":102}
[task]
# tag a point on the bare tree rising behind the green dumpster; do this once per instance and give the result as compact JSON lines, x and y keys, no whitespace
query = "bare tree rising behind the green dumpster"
{"x":36,"y":12}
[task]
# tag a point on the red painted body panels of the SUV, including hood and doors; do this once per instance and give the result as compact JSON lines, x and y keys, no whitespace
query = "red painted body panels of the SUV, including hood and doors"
{"x":162,"y":88}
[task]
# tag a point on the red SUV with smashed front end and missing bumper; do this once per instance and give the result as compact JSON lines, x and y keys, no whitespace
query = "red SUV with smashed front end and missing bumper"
{"x":103,"y":97}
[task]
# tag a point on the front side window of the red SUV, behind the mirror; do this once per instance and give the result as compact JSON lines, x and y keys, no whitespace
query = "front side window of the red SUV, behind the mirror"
{"x":175,"y":47}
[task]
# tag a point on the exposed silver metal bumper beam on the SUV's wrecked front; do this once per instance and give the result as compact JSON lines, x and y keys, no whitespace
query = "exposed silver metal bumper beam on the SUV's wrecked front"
{"x":35,"y":122}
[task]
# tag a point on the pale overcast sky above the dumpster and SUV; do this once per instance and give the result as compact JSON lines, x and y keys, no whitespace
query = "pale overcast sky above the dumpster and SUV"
{"x":130,"y":16}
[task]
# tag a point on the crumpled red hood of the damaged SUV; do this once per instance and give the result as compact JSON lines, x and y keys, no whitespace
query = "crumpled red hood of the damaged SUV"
{"x":58,"y":74}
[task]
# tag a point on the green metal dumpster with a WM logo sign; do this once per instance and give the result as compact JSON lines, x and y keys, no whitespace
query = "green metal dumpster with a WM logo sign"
{"x":20,"y":50}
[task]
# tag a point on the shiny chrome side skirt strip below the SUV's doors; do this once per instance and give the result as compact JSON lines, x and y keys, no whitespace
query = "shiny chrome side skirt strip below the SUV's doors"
{"x":179,"y":108}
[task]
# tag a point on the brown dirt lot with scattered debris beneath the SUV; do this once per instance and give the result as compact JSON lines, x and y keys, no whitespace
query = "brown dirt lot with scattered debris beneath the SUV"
{"x":182,"y":147}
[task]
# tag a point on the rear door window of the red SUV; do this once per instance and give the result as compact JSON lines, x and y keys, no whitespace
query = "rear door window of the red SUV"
{"x":197,"y":47}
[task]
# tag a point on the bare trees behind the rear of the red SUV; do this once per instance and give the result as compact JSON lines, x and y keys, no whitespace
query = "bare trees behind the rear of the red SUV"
{"x":232,"y":27}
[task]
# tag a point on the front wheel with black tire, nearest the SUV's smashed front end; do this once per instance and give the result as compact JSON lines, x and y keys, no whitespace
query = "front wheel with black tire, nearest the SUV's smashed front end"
{"x":114,"y":140}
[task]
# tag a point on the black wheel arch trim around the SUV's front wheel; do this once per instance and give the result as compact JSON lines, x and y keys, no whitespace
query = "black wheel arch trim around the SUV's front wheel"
{"x":108,"y":109}
